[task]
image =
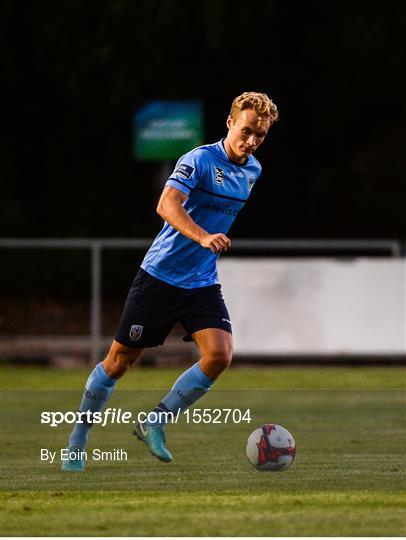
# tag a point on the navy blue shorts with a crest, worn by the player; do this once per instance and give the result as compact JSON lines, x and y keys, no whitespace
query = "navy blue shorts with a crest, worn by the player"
{"x":153,"y":307}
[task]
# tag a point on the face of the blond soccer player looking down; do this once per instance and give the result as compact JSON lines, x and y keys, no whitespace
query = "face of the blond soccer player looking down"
{"x":246,"y":131}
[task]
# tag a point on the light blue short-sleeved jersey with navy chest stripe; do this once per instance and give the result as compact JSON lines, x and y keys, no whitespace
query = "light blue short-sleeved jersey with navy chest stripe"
{"x":217,"y":189}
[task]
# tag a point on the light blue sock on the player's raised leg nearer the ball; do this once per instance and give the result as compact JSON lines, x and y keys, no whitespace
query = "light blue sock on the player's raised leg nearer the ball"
{"x":188,"y":388}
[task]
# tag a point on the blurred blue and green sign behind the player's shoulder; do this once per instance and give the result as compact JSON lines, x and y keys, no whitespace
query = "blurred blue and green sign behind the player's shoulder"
{"x":164,"y":130}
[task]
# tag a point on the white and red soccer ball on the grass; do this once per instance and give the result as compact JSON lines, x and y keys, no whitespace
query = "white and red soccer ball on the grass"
{"x":271,"y":448}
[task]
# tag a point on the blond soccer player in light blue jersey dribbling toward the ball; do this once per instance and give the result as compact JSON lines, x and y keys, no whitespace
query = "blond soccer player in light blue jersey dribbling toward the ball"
{"x":177,"y":281}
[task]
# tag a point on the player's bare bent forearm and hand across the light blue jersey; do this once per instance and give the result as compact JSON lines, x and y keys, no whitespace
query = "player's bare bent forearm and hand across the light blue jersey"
{"x":171,"y":210}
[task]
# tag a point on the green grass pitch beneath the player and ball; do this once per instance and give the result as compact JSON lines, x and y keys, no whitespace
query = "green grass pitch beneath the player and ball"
{"x":348,"y":477}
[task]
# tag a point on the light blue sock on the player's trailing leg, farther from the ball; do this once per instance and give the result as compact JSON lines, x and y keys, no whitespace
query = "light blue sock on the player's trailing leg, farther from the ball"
{"x":99,"y":387}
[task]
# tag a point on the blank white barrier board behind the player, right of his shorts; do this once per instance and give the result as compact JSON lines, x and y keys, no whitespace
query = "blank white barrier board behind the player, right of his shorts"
{"x":320,"y":306}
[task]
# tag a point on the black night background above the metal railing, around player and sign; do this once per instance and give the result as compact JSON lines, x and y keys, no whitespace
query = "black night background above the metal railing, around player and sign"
{"x":74,"y":72}
